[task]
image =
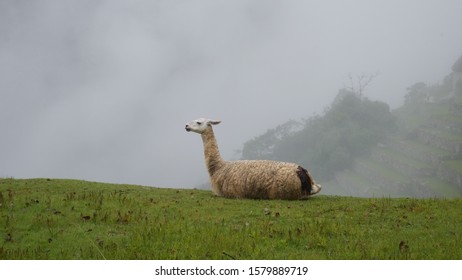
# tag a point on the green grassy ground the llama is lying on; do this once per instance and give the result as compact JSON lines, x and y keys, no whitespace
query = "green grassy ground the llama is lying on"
{"x":69,"y":219}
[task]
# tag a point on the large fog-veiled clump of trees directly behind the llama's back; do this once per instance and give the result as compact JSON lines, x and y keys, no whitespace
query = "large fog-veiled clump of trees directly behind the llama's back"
{"x":330,"y":143}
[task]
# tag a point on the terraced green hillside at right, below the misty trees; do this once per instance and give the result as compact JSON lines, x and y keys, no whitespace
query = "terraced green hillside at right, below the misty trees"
{"x":422,"y":159}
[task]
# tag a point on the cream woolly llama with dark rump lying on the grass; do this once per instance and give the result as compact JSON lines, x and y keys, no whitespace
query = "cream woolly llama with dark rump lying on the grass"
{"x":258,"y":179}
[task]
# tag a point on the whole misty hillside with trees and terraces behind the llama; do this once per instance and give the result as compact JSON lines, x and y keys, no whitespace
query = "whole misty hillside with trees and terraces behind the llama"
{"x":358,"y":147}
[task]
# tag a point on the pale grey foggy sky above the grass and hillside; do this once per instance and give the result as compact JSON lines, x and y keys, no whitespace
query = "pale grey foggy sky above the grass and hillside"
{"x":101,"y":90}
